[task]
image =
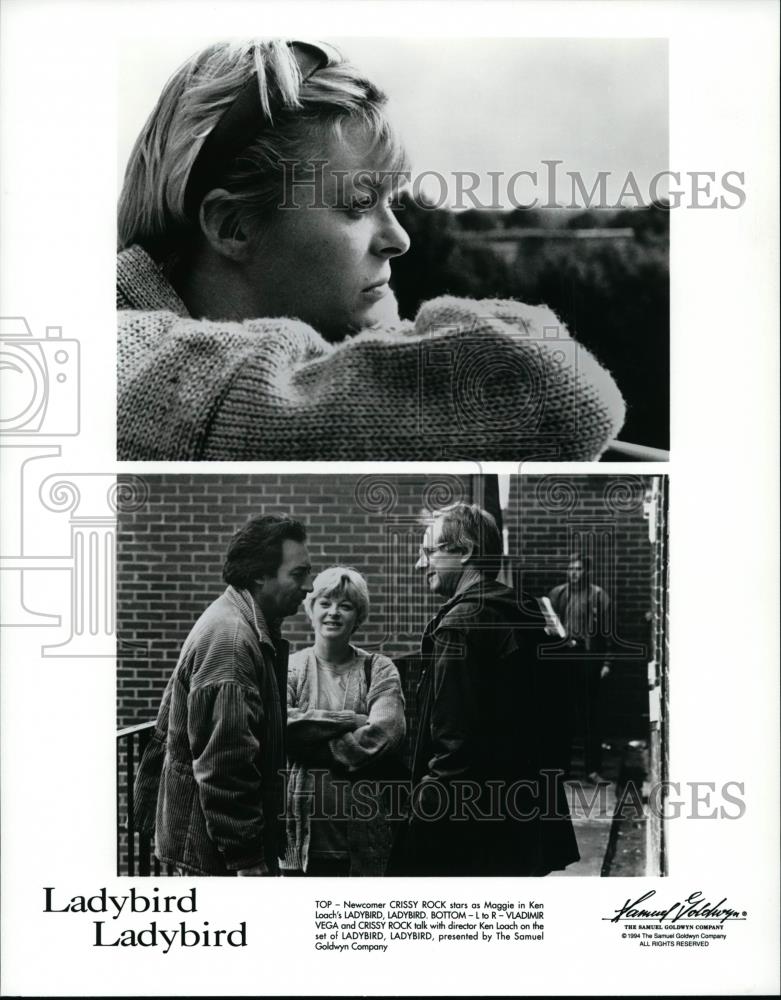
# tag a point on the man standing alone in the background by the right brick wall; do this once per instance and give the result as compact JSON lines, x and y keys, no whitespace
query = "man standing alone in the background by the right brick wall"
{"x":584,"y":610}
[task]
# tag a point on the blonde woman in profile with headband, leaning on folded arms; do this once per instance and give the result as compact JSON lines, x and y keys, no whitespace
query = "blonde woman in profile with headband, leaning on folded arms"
{"x":256,"y":321}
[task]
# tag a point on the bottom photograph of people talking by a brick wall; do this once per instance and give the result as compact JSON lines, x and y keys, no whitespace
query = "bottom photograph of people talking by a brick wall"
{"x":400,"y":675}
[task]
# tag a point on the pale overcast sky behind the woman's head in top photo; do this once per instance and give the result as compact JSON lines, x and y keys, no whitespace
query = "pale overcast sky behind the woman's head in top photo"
{"x":483,"y":104}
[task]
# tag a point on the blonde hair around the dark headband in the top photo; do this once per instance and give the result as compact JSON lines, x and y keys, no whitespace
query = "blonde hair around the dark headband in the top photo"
{"x":299,"y":116}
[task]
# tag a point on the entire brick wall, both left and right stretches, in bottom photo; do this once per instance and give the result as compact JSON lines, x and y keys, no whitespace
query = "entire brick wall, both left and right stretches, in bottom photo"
{"x":171,"y":544}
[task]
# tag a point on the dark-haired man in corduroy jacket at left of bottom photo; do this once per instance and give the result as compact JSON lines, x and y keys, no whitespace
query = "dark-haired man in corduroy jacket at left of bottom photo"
{"x":211,"y":779}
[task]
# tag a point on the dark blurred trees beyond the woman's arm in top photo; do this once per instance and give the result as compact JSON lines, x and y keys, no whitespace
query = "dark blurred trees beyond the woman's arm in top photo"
{"x":604,"y":273}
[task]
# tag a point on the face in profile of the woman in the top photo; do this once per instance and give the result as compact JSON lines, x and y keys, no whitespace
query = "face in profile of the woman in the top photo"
{"x":326,"y":260}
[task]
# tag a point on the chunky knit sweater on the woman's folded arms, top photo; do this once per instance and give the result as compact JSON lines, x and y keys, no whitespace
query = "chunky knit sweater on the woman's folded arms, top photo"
{"x":490,"y":380}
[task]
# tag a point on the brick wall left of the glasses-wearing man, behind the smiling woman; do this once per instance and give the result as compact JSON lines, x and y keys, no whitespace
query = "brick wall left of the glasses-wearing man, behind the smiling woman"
{"x":171,"y":548}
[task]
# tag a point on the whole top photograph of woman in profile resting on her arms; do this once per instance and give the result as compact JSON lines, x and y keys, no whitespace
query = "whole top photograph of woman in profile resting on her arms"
{"x":393,"y":249}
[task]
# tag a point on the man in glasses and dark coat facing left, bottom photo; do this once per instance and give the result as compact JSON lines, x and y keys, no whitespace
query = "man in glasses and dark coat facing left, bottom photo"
{"x":482,"y":803}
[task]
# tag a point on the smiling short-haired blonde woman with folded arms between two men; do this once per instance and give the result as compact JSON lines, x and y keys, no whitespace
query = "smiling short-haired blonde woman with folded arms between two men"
{"x":345,"y":716}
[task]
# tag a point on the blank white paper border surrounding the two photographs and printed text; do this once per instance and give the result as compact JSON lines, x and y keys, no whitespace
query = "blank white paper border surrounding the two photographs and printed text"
{"x":58,"y":178}
